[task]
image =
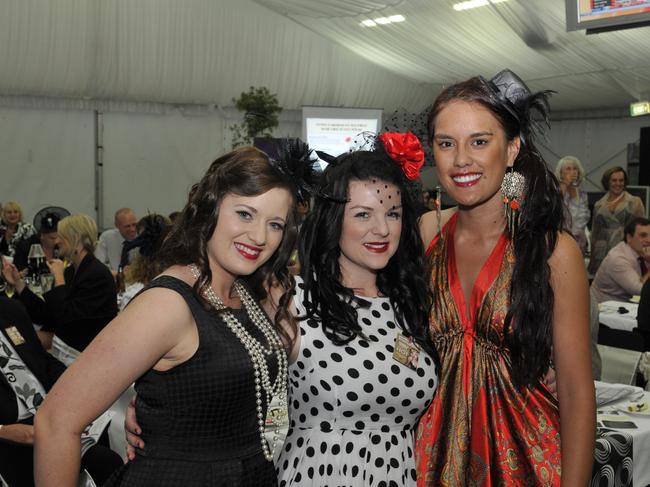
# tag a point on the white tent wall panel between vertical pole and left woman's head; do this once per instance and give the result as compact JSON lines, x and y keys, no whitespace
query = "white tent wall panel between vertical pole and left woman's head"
{"x":151,"y":161}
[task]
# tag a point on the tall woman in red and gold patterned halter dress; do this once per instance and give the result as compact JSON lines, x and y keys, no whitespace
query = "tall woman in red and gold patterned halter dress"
{"x":510,"y":296}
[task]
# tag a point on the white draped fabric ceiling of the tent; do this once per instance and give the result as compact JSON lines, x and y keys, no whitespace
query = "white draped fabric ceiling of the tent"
{"x":310,"y":52}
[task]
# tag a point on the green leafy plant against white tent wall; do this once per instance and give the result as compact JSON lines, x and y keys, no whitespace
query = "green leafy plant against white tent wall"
{"x":261,"y":110}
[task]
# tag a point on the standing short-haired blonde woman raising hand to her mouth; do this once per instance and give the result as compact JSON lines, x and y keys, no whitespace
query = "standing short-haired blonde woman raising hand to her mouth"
{"x":570,"y":173}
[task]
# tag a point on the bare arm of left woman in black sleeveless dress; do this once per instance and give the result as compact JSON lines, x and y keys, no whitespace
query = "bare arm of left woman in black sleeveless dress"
{"x":155,"y":330}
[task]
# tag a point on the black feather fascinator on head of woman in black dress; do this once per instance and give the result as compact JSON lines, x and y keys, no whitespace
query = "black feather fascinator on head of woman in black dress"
{"x":298,"y":164}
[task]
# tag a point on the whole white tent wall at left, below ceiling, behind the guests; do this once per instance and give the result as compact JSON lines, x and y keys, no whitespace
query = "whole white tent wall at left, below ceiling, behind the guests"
{"x":149,"y":159}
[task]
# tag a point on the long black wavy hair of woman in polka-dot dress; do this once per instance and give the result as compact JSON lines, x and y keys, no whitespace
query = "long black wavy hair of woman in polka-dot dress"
{"x":403,"y":280}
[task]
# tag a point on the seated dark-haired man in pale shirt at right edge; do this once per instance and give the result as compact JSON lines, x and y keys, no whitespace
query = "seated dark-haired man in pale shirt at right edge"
{"x":625,"y":268}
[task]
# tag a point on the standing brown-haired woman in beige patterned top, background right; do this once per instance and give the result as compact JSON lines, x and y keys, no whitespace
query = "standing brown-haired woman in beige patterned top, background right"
{"x":611,"y":213}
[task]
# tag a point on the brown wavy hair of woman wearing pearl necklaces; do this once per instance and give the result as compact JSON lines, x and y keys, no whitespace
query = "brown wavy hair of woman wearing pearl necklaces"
{"x":245,"y":172}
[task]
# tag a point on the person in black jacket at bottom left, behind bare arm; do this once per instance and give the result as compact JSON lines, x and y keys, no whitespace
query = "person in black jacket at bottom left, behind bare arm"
{"x":27,"y":372}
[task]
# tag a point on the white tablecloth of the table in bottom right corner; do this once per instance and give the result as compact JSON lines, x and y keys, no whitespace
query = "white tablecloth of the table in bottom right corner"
{"x":640,"y":439}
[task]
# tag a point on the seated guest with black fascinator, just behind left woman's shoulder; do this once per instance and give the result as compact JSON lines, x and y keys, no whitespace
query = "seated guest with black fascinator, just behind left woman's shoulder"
{"x":152,"y":230}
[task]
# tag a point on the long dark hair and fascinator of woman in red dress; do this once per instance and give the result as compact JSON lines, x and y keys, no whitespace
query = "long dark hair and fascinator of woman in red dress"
{"x":530,"y":315}
